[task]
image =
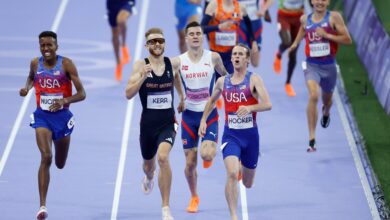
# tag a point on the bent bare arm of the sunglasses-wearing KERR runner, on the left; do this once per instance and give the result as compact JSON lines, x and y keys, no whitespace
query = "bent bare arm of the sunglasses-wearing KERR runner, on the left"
{"x":139,"y":74}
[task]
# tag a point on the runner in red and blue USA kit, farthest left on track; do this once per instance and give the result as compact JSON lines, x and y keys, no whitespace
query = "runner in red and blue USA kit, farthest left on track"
{"x":52,"y":77}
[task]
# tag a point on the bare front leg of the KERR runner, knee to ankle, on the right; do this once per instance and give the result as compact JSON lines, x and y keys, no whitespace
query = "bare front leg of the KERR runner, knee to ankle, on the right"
{"x":165,"y":174}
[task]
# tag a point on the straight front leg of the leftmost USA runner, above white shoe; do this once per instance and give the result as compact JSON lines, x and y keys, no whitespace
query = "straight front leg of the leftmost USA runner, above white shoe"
{"x":44,"y":141}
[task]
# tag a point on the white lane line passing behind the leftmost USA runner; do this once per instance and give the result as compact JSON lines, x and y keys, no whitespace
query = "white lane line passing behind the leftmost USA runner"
{"x":26,"y":100}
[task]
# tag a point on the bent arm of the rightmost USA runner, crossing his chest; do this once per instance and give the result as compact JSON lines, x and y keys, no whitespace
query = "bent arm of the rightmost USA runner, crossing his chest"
{"x":342,"y":36}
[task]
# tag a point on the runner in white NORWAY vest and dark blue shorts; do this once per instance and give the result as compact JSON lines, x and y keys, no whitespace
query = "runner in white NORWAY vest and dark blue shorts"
{"x":196,"y":67}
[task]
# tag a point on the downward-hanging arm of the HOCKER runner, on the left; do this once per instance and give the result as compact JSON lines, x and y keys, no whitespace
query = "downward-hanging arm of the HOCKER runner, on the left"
{"x":210,"y":105}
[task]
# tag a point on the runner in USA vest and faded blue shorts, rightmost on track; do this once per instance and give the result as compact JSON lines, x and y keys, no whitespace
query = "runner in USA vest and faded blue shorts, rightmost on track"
{"x":323,"y":31}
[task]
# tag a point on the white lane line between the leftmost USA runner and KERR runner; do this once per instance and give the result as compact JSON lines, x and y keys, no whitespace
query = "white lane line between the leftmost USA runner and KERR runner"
{"x":129,"y":112}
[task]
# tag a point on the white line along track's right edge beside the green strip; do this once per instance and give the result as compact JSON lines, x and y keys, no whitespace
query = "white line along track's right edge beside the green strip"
{"x":356,"y":157}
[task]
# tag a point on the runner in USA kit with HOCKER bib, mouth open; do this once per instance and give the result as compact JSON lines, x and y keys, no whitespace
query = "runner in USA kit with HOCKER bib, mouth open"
{"x":244,"y":94}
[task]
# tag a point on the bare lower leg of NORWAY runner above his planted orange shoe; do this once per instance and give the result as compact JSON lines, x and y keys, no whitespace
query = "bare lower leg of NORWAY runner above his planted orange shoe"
{"x":190,"y":170}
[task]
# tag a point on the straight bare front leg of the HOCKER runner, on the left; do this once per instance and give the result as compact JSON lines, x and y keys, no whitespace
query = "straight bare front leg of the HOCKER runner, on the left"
{"x":232,"y":165}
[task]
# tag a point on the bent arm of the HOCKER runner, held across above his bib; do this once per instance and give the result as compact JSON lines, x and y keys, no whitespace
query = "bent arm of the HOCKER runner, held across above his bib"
{"x":260,"y":92}
